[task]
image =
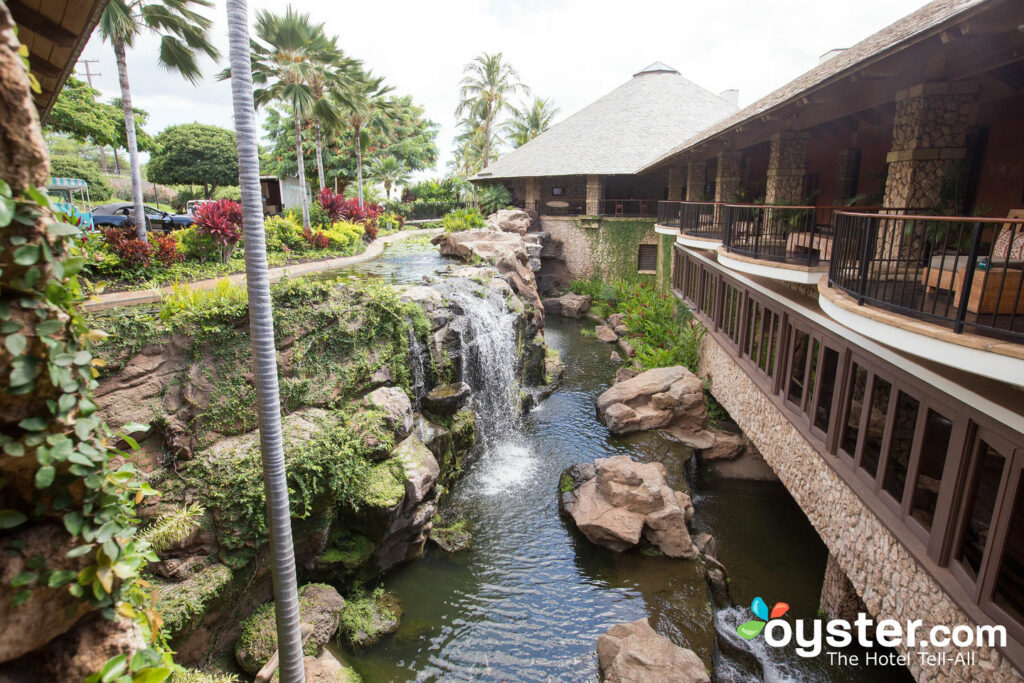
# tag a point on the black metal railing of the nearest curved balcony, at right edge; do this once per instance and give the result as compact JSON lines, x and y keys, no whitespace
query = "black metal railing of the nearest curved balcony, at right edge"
{"x":963,"y":273}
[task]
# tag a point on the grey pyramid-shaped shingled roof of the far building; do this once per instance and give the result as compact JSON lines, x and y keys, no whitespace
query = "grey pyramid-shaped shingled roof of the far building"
{"x":622,"y":133}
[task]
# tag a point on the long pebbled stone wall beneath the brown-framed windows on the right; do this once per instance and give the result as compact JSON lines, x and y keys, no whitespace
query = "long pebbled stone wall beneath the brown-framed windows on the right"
{"x":891,"y":583}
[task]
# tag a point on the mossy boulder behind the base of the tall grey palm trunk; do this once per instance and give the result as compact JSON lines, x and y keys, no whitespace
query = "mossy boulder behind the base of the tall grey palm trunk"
{"x":320,"y":607}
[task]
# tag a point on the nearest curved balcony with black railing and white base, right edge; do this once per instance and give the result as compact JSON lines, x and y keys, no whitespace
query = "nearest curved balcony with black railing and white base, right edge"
{"x":950,"y":289}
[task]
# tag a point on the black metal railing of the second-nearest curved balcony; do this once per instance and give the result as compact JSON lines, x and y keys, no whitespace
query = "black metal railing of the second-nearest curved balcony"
{"x":787,"y":234}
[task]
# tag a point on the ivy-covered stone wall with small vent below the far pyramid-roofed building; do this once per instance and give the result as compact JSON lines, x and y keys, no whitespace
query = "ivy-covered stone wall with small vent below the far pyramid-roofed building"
{"x":602,"y":247}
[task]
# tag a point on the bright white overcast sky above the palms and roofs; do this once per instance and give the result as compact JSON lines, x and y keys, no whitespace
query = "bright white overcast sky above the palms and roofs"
{"x":573,"y":52}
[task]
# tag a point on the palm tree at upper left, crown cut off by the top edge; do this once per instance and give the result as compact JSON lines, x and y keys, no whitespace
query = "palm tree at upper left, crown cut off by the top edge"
{"x":183,"y":36}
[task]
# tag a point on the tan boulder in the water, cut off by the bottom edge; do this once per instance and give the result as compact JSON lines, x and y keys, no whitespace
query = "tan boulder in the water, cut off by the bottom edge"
{"x":635,"y":653}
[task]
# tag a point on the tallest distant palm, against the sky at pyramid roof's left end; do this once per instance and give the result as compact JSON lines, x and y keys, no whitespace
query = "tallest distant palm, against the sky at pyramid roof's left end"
{"x":485,"y":94}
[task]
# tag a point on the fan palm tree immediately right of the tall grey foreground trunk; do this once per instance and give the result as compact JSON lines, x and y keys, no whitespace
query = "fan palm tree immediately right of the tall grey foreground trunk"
{"x":288,"y":55}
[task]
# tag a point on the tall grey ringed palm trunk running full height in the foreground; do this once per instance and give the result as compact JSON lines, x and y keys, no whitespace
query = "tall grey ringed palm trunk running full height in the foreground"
{"x":265,"y":355}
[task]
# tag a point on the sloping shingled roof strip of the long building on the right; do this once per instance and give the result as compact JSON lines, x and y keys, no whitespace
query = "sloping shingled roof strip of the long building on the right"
{"x":908,"y":30}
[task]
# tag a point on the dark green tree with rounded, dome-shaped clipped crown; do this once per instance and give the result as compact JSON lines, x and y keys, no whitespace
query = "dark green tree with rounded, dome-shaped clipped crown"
{"x":195,"y":154}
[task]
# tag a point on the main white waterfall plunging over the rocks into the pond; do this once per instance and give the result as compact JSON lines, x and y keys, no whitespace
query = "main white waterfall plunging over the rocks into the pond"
{"x":490,"y":364}
